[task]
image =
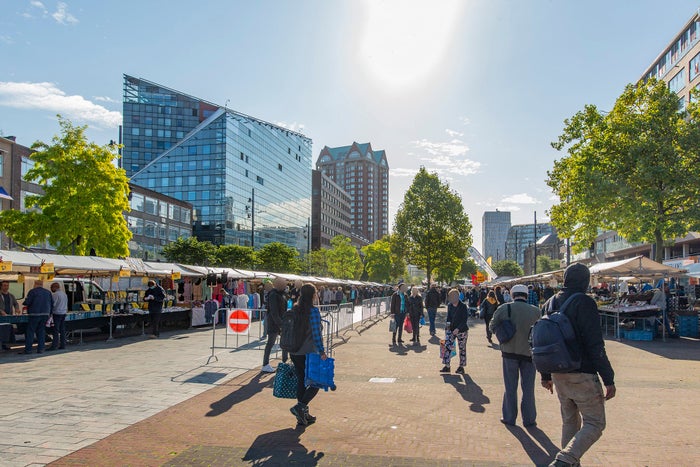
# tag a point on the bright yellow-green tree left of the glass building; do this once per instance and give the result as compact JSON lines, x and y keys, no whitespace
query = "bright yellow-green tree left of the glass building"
{"x":84,"y":197}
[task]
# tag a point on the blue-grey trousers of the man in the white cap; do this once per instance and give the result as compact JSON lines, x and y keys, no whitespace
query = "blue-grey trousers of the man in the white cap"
{"x":514,"y":369}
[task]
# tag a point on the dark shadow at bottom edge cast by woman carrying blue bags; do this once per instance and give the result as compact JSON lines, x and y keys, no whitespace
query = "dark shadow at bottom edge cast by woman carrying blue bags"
{"x":281,"y":448}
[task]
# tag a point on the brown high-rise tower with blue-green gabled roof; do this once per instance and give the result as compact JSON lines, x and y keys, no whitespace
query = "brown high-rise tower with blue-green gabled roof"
{"x":363,"y":174}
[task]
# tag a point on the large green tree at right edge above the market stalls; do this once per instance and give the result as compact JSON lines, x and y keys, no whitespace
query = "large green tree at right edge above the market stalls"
{"x":633,"y":170}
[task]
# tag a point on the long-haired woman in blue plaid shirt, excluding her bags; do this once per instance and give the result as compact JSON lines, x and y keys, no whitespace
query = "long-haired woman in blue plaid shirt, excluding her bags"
{"x":313,"y":343}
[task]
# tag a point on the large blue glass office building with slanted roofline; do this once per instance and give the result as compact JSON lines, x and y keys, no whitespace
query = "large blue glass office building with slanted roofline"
{"x":249,"y":181}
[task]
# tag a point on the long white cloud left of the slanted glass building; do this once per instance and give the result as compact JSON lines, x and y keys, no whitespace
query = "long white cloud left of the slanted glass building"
{"x":48,"y":97}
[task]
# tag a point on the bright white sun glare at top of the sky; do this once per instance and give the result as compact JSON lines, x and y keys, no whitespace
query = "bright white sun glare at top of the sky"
{"x":405,"y":40}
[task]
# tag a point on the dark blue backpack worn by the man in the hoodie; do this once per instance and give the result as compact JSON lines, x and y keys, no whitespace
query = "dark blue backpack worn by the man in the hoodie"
{"x":553,"y":341}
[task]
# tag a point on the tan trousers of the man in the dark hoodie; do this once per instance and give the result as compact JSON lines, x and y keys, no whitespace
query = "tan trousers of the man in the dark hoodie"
{"x":582,"y":412}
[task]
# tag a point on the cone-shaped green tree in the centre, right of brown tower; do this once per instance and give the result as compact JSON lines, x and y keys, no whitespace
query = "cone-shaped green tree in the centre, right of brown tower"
{"x":431,"y":224}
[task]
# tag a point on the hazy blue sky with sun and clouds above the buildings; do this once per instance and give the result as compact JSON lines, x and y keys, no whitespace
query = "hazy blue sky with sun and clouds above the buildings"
{"x":475,"y":90}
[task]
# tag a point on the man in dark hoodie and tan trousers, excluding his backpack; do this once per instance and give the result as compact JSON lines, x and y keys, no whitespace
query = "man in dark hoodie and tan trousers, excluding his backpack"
{"x":580,"y":393}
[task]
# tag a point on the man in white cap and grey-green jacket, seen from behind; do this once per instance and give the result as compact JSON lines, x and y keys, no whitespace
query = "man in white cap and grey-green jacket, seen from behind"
{"x":516,"y":358}
